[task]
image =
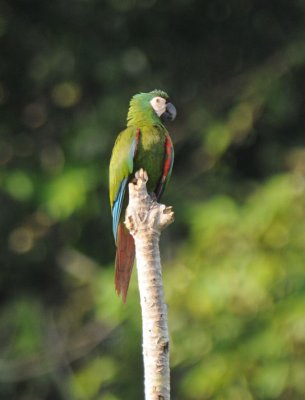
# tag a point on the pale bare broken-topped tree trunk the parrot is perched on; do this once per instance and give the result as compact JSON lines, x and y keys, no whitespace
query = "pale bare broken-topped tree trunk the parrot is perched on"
{"x":145,"y":219}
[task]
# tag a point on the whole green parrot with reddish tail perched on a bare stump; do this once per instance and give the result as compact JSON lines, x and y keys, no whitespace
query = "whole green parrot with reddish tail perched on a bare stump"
{"x":145,"y":143}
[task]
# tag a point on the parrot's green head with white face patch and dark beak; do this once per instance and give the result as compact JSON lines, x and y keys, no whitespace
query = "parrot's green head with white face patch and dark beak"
{"x":154,"y":105}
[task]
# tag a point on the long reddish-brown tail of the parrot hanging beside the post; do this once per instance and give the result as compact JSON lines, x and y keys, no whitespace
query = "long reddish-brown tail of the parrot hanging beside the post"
{"x":124,"y":260}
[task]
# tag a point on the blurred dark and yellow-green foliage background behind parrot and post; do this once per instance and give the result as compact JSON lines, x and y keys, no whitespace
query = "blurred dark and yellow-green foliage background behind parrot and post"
{"x":233,"y":261}
